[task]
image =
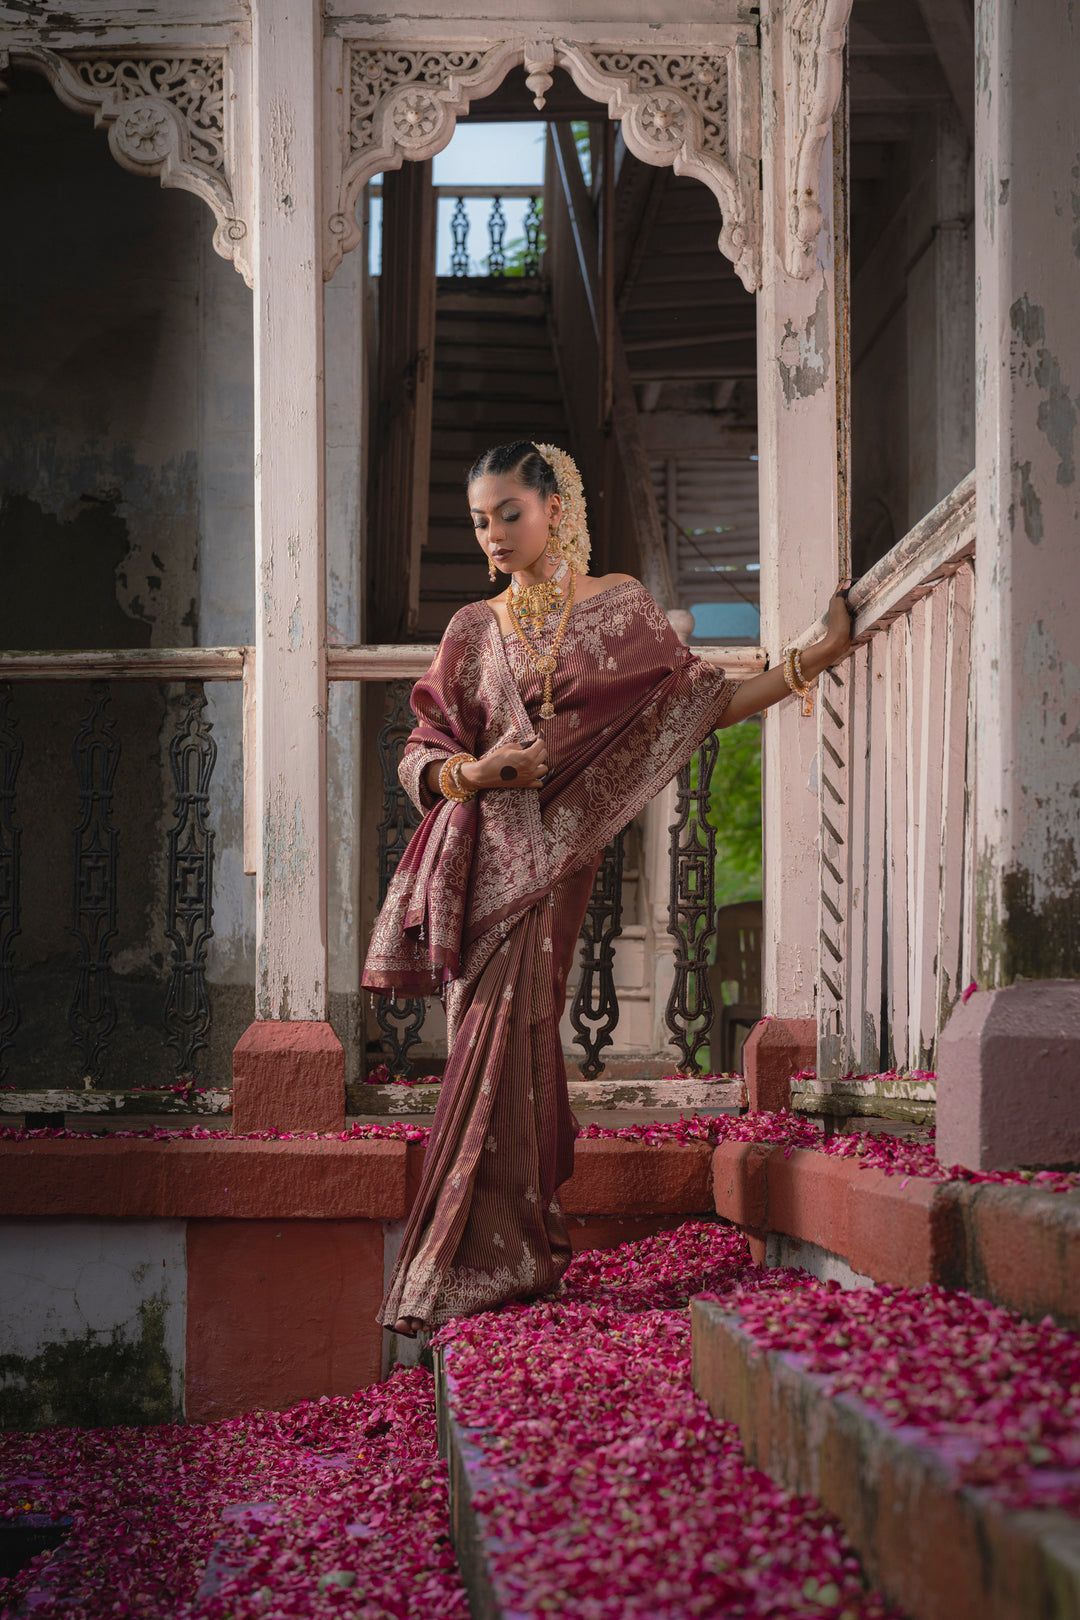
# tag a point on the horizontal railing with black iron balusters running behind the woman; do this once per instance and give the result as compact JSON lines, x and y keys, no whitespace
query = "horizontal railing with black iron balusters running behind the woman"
{"x":185,"y":995}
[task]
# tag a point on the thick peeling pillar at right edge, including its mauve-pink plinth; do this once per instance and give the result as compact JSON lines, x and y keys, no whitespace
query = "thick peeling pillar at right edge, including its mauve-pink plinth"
{"x":1011,"y":1055}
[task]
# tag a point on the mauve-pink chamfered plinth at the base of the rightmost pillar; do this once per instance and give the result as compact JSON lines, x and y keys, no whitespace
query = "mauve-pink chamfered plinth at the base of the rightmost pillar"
{"x":1008,"y":1067}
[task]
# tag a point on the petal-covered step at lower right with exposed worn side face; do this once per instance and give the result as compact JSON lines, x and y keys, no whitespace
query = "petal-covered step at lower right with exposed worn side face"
{"x":940,"y":1430}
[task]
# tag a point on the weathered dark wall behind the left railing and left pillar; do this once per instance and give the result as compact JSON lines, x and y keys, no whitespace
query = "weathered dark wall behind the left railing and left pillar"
{"x":127,"y":521}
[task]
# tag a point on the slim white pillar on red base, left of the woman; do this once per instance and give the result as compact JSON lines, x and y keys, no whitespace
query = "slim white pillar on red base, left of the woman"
{"x":287,"y":1075}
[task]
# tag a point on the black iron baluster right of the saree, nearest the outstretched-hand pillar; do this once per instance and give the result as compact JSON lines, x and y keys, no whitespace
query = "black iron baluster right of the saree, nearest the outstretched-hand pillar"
{"x":692,"y":908}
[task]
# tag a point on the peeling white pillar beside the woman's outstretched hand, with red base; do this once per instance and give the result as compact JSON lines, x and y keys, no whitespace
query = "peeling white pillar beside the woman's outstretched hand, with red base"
{"x":797,"y":451}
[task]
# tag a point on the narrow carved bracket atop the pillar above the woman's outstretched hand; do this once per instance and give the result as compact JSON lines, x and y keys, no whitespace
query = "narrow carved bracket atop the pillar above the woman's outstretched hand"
{"x":814,"y":79}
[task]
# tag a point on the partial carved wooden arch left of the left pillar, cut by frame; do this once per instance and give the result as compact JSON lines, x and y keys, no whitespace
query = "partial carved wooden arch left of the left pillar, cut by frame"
{"x":166,"y":116}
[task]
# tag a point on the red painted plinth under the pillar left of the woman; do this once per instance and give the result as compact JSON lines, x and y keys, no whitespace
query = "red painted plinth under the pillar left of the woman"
{"x":289,"y":1078}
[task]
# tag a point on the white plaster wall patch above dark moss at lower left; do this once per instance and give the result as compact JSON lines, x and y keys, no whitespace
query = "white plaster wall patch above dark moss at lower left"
{"x":62,"y":1281}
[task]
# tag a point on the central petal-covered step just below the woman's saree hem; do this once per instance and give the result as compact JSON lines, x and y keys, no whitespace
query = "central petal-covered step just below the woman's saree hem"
{"x":587,"y":1480}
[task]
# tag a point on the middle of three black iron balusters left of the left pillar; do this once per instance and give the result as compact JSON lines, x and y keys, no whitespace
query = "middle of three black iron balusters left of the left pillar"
{"x":93,"y":1013}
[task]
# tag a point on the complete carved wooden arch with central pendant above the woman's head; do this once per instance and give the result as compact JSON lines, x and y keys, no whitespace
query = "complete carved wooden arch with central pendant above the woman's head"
{"x":695,"y":113}
